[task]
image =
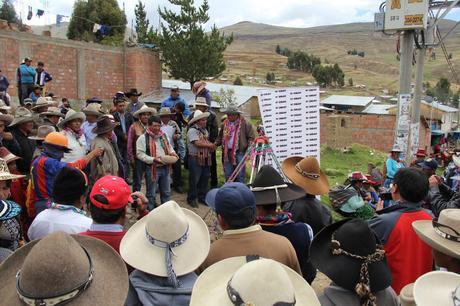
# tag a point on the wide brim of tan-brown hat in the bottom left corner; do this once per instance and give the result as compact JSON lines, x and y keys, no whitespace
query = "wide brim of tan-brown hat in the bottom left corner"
{"x":110,"y":278}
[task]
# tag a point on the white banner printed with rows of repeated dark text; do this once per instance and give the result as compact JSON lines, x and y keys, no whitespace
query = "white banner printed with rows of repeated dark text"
{"x":291,"y":120}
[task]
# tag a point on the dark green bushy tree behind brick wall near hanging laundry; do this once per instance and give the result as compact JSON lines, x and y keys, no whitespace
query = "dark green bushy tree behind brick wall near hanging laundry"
{"x":103,"y":12}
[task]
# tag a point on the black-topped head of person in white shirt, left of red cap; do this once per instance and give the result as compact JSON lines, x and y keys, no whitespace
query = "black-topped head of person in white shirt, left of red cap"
{"x":69,"y":185}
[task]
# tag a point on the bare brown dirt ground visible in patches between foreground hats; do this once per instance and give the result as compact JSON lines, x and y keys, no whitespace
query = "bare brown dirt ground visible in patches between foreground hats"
{"x":321,"y":281}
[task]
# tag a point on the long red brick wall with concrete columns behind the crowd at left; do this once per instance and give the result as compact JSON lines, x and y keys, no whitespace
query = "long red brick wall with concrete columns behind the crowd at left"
{"x":81,"y":70}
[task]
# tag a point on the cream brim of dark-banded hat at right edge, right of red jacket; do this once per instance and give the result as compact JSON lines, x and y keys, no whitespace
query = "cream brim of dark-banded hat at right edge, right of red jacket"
{"x":424,"y":229}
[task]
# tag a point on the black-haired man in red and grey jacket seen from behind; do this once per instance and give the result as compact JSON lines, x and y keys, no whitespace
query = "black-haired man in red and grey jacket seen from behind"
{"x":408,"y":256}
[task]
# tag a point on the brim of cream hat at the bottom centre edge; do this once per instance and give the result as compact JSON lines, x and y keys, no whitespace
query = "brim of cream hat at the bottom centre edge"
{"x":211,"y":286}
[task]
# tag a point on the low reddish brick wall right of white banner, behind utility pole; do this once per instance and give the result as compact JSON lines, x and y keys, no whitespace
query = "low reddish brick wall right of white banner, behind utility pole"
{"x":375,"y":131}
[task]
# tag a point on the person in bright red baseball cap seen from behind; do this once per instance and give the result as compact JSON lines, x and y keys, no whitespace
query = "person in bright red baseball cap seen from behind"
{"x":109,"y":199}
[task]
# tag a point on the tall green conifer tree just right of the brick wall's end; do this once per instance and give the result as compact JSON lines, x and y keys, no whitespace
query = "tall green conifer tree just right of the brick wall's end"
{"x":188,"y":52}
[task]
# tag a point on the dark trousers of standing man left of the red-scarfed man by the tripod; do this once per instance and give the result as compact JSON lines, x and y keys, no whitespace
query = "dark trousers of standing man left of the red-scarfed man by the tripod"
{"x":198,"y":178}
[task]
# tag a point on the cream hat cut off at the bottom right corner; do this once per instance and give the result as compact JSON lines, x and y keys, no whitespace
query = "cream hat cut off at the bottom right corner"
{"x":438,"y":288}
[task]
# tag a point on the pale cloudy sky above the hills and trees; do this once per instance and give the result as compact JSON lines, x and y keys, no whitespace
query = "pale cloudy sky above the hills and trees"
{"x":289,"y":13}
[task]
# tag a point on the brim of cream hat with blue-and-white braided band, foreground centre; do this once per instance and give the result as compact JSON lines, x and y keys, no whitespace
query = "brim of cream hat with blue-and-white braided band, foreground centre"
{"x":140,"y":254}
